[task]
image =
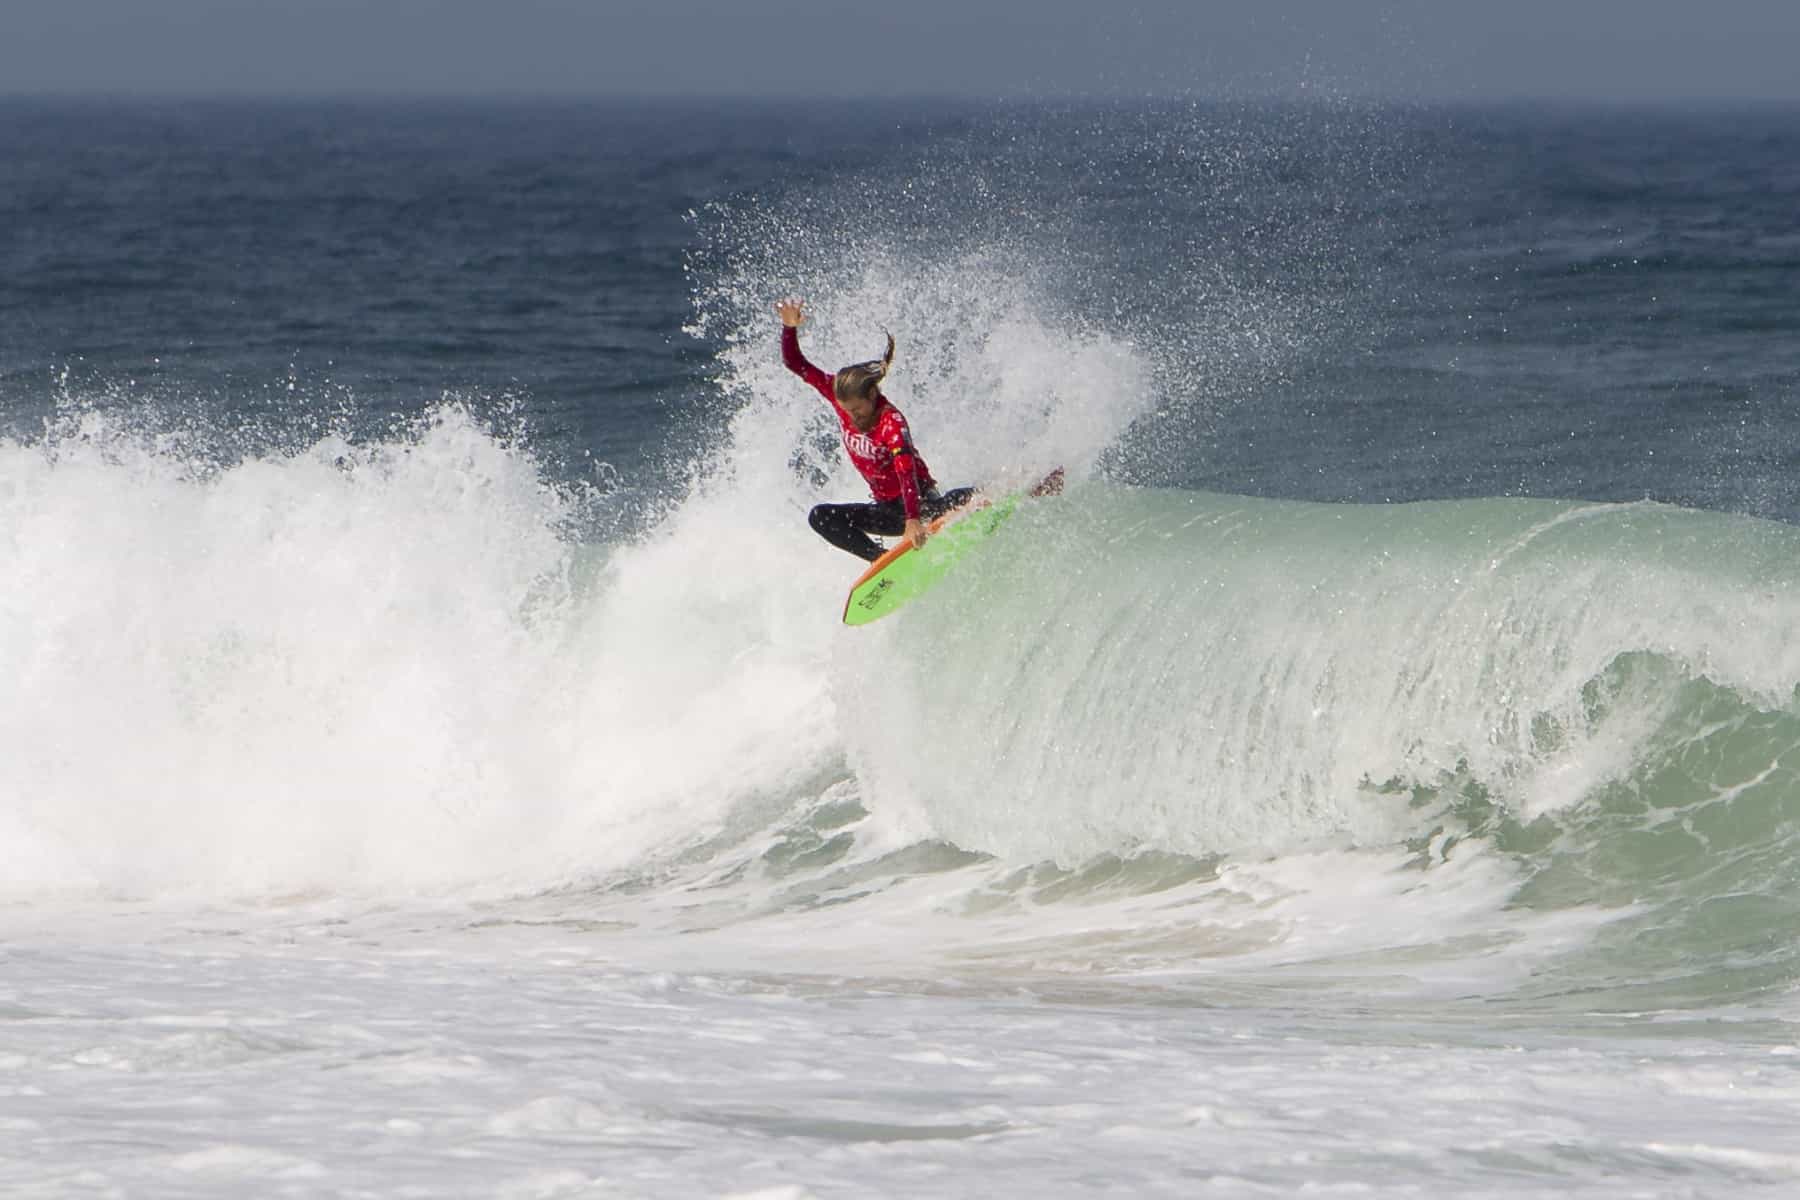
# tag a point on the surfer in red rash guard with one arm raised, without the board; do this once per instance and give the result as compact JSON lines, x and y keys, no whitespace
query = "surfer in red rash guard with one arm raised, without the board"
{"x":879,"y":445}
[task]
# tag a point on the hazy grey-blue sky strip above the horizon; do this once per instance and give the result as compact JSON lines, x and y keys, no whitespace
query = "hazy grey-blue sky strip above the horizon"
{"x":1408,"y":49}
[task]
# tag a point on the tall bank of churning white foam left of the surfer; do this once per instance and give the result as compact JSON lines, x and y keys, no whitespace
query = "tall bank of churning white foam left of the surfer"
{"x":363,"y":668}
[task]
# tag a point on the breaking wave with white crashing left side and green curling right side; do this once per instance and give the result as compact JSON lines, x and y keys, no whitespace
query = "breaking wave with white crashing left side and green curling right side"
{"x":390,"y":668}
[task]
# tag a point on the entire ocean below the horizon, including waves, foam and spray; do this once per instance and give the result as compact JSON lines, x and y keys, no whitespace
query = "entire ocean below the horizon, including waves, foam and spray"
{"x":431,"y":762}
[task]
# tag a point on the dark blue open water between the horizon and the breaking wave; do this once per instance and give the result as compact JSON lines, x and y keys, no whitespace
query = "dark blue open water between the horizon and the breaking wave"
{"x":1342,"y":303}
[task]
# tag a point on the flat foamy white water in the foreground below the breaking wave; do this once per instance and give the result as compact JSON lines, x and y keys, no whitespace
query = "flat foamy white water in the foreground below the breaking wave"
{"x":584,"y":1071}
